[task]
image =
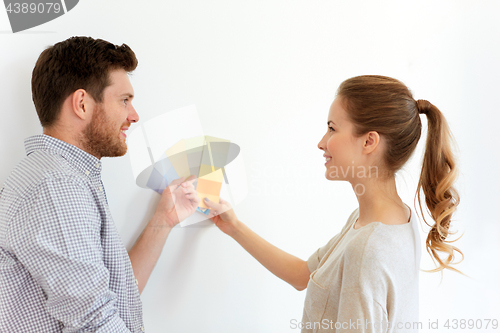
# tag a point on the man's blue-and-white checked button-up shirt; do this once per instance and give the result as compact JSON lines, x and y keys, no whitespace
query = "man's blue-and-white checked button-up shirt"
{"x":63,"y":266}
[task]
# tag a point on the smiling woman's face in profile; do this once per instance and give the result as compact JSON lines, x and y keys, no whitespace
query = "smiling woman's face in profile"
{"x":341,"y":148}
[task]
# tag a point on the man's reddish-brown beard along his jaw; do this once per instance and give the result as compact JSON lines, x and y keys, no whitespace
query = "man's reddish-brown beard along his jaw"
{"x":100,"y":138}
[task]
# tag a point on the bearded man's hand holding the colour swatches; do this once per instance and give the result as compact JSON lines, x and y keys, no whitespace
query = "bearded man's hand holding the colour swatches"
{"x":178,"y":201}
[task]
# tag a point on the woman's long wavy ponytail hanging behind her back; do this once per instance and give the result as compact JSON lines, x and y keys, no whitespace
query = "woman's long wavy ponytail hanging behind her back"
{"x":437,"y":177}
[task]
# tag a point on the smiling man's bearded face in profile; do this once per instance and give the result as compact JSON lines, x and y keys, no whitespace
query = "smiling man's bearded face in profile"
{"x":104,"y":135}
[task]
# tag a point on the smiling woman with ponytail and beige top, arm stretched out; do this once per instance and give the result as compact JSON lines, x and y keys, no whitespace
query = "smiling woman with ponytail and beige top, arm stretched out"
{"x":365,"y":279}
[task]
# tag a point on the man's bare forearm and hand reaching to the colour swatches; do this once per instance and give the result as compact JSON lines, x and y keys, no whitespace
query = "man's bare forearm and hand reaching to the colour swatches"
{"x":178,"y":201}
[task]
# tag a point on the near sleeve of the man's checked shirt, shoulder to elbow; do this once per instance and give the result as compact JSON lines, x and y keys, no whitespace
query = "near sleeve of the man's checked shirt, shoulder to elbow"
{"x":60,"y":246}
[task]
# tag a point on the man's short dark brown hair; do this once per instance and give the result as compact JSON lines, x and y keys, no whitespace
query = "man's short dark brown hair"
{"x":76,"y":63}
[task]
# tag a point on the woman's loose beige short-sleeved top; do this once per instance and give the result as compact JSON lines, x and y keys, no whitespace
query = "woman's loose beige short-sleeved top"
{"x":365,"y":280}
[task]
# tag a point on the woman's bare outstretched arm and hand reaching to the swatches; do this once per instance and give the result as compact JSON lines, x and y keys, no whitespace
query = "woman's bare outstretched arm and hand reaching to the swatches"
{"x":284,"y":265}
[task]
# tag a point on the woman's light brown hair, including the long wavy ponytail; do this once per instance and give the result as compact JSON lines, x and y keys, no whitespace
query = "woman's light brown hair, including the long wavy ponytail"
{"x":386,"y":105}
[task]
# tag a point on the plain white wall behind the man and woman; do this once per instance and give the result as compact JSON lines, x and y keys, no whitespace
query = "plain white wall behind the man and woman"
{"x":263,"y":74}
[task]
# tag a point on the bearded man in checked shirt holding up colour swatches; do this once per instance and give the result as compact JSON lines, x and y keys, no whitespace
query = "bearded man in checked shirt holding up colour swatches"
{"x":63,"y":267}
